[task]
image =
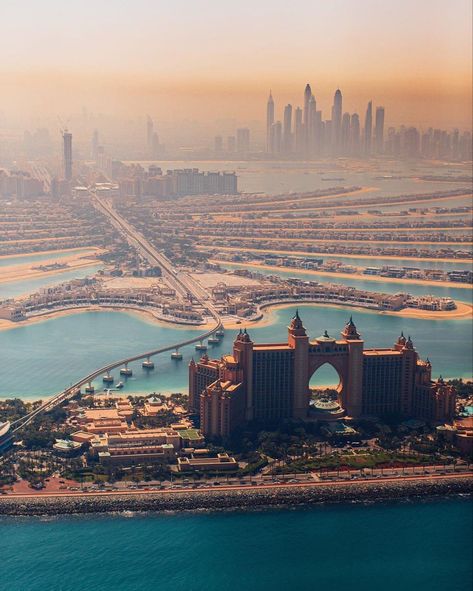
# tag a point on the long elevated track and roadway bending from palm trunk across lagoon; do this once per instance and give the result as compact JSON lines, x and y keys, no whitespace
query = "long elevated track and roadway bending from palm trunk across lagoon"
{"x":183,"y":284}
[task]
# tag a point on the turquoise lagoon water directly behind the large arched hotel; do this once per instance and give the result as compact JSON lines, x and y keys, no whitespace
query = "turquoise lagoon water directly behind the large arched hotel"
{"x":43,"y":358}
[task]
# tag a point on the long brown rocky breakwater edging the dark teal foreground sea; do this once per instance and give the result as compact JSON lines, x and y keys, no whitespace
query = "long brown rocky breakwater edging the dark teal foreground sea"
{"x":235,"y":499}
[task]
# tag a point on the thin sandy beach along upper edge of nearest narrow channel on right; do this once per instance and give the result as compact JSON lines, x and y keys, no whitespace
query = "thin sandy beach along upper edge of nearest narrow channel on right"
{"x":357,"y":276}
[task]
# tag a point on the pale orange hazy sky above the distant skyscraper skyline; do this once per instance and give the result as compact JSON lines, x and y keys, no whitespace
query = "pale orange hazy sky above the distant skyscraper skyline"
{"x":208,"y":59}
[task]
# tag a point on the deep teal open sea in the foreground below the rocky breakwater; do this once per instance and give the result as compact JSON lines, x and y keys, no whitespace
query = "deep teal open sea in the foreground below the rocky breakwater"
{"x":421,"y":546}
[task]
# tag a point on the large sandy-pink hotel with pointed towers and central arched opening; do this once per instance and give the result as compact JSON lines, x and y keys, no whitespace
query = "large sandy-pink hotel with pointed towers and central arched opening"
{"x":270,"y":382}
